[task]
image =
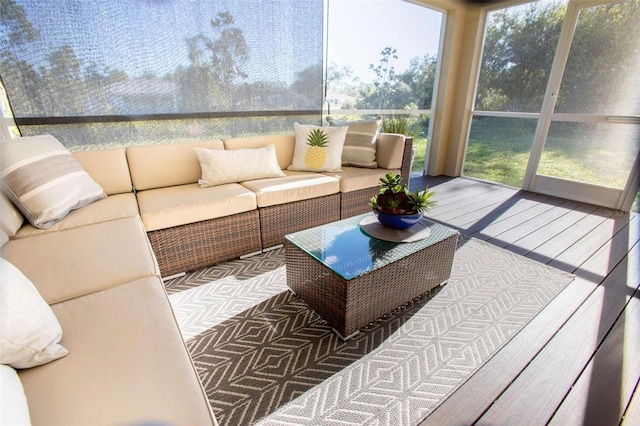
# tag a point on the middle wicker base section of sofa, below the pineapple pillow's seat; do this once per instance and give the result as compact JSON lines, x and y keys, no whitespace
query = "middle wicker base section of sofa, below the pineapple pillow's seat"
{"x":277,"y":221}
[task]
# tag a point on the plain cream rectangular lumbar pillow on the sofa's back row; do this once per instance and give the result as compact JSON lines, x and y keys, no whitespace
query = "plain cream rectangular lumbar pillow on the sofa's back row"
{"x":237,"y":165}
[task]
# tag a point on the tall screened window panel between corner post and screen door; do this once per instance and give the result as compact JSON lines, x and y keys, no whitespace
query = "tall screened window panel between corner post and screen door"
{"x":518,"y":52}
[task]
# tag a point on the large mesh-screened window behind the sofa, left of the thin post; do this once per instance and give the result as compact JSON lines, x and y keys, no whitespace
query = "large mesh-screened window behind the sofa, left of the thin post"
{"x":94,"y":72}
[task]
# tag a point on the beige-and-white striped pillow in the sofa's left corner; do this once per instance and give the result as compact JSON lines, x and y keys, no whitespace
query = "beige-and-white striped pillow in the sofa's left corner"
{"x":43,"y":179}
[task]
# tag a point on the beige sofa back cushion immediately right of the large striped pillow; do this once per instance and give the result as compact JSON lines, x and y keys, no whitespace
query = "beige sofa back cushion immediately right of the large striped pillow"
{"x":108,"y":168}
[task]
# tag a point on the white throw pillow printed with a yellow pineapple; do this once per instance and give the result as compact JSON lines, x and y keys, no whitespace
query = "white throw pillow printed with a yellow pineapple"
{"x":318,"y":149}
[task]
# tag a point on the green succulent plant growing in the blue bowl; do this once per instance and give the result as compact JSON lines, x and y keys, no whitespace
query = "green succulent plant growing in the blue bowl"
{"x":396,"y":198}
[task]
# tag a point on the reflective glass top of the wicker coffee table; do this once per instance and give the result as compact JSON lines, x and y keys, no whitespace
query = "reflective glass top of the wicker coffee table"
{"x":350,"y":252}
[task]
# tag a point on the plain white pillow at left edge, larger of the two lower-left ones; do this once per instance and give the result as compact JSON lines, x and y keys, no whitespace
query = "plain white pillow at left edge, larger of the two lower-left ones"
{"x":30,"y":333}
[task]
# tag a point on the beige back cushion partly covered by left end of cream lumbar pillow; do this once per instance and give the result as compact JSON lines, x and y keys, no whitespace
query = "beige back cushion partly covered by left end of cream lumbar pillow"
{"x":159,"y":166}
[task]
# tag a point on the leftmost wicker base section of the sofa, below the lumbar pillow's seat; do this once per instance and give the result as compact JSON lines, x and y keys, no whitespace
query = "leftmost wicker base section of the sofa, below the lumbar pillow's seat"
{"x":197,"y":245}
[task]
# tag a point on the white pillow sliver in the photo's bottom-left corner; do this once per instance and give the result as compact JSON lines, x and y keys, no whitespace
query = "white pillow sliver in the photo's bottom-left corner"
{"x":13,"y":401}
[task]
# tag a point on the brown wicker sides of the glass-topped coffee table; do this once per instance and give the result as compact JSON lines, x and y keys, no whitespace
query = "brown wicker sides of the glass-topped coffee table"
{"x":349,"y":305}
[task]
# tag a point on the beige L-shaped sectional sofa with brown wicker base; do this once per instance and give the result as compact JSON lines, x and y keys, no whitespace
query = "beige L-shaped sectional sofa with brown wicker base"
{"x":116,"y":355}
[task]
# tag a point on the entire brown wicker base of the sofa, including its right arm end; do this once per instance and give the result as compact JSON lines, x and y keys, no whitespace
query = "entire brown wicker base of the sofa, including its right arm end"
{"x":197,"y":245}
